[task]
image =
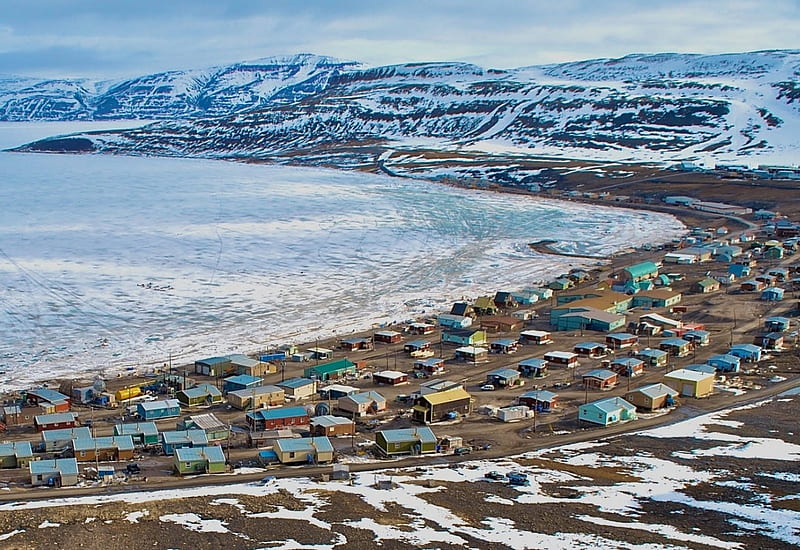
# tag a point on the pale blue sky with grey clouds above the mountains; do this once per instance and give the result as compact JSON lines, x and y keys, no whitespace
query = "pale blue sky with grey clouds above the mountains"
{"x":117,"y":38}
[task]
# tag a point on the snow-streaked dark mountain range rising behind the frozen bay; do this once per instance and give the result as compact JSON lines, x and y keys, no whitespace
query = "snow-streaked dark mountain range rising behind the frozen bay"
{"x":318,"y":110}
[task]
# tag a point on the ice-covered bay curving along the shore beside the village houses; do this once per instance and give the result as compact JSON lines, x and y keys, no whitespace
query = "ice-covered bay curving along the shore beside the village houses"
{"x":108,"y":263}
